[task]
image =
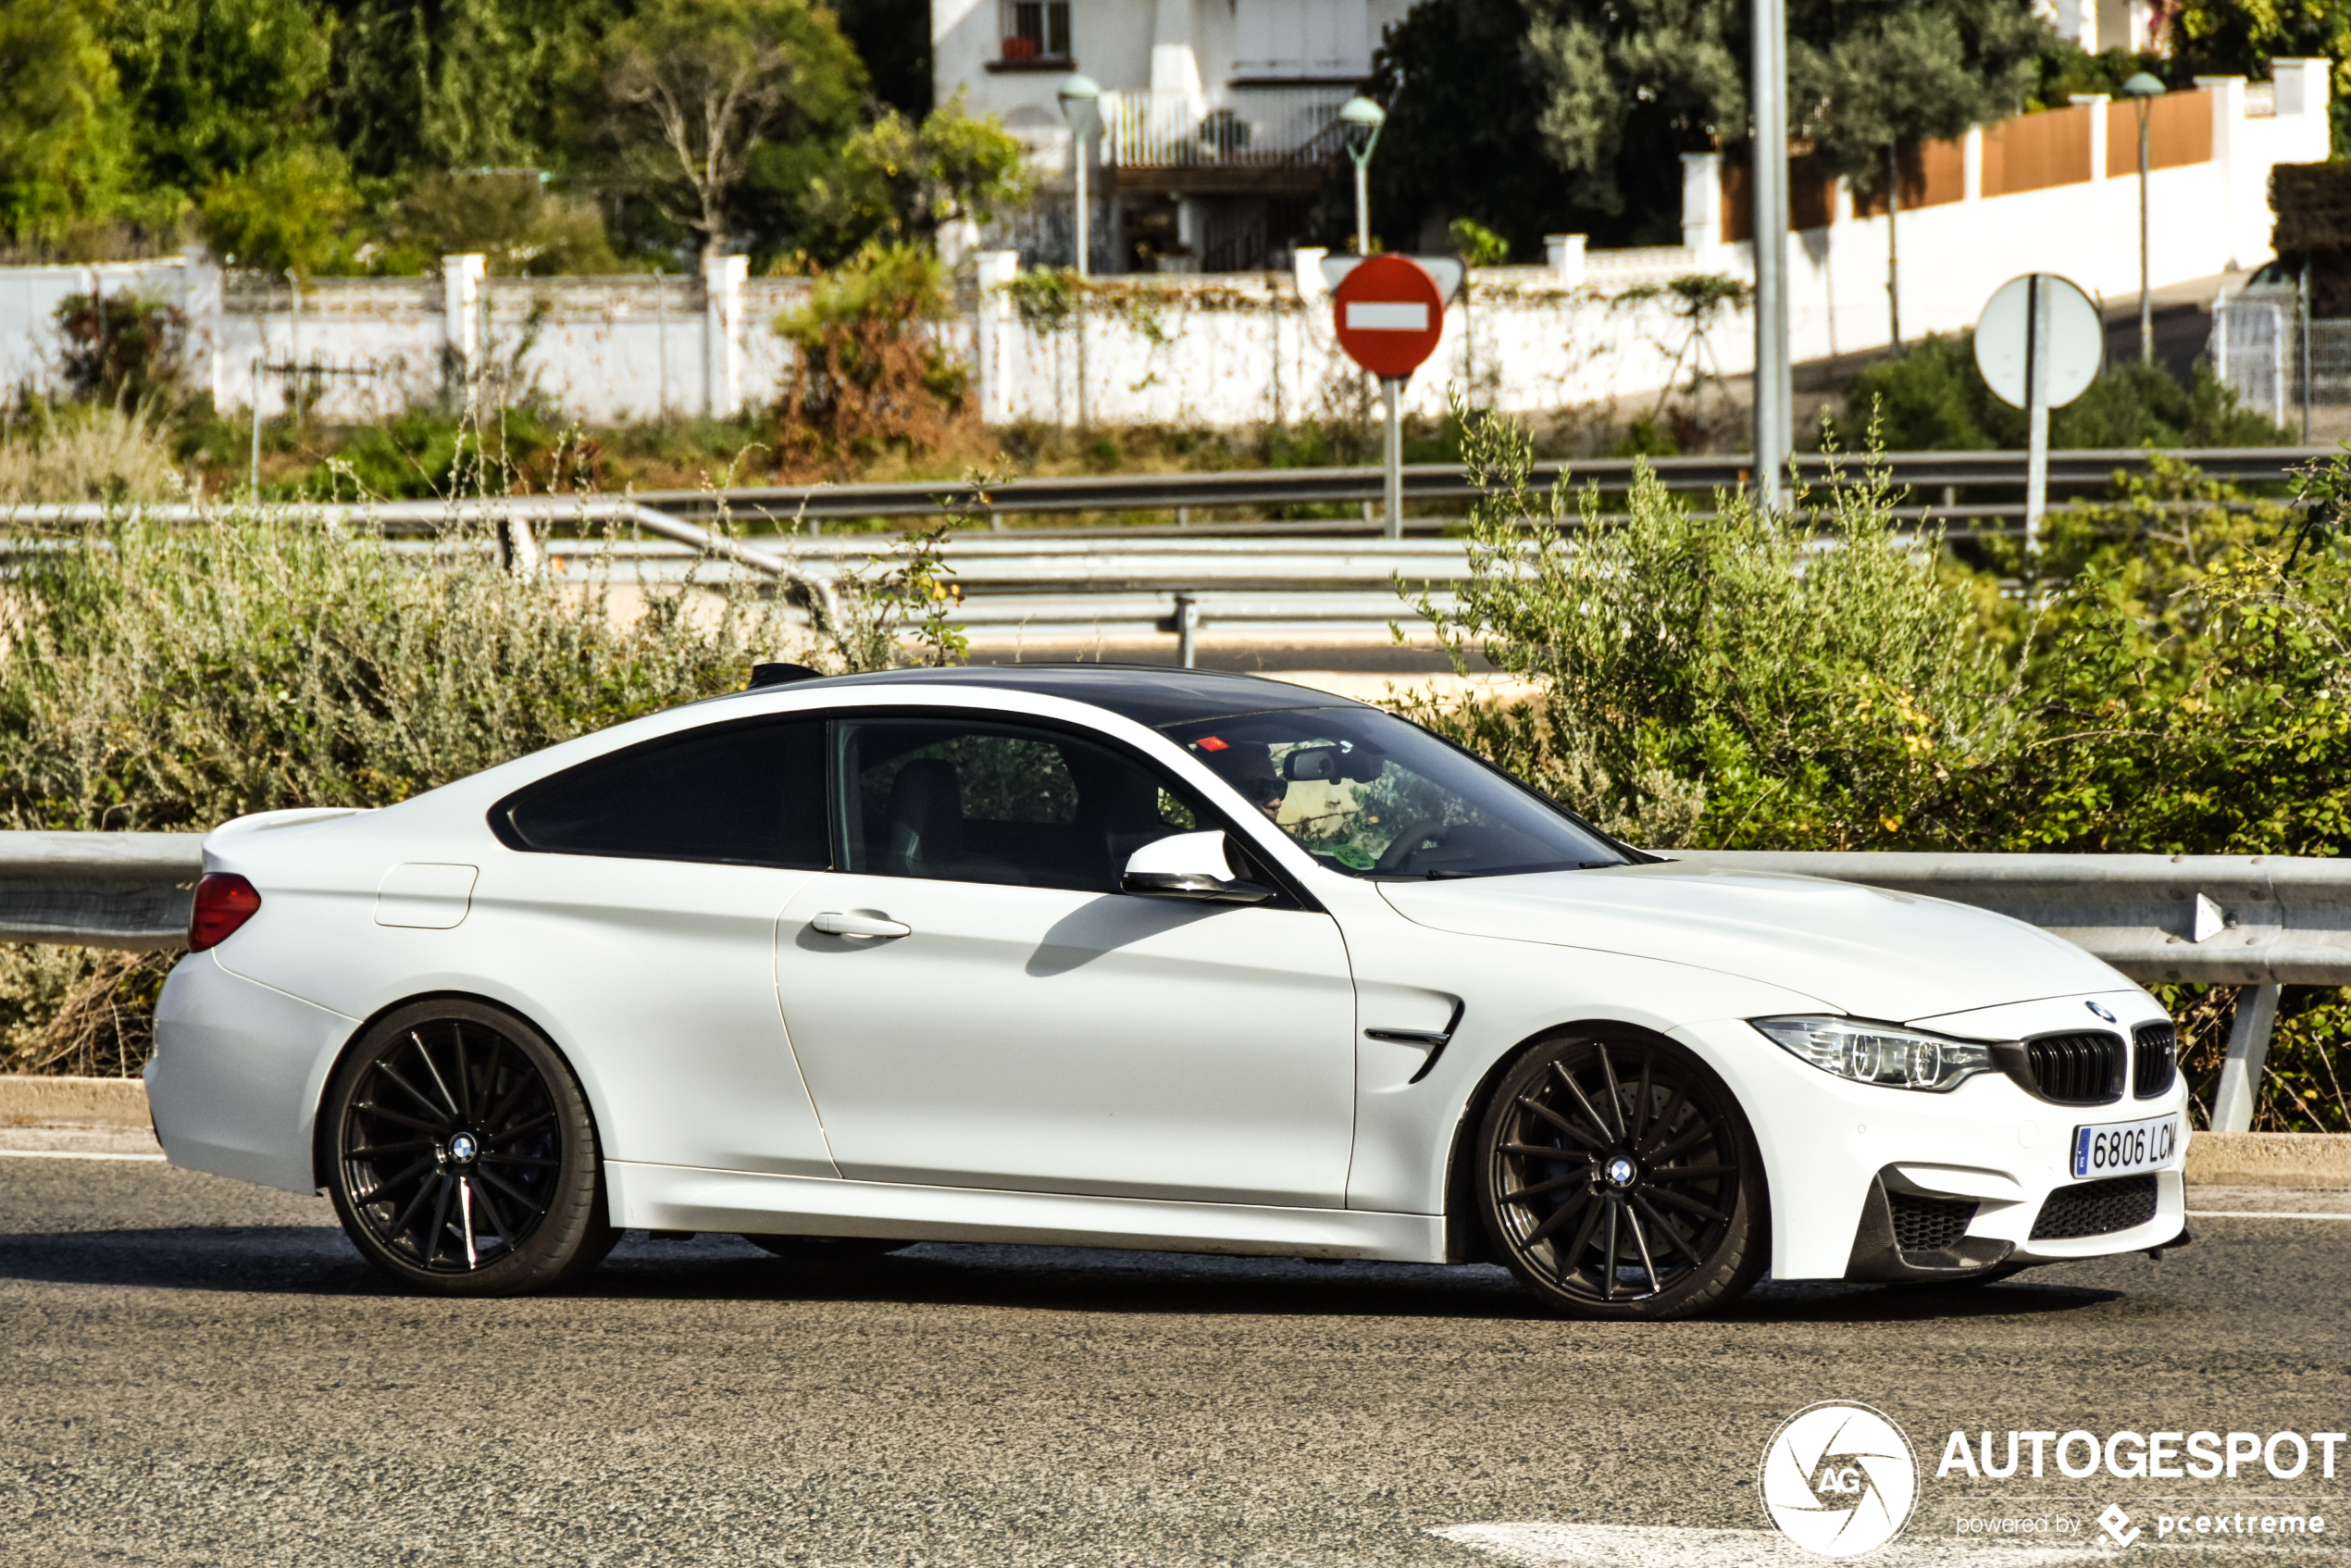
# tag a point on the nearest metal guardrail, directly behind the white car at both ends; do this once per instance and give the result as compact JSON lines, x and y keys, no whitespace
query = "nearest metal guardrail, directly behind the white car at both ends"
{"x":2230,"y":920}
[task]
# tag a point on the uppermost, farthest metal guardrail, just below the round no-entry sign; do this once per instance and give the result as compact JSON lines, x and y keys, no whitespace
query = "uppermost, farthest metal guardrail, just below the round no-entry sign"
{"x":1431,"y":483}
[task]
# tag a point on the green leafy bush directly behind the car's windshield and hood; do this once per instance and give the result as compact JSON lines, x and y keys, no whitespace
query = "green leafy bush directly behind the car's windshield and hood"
{"x":1729,"y":678}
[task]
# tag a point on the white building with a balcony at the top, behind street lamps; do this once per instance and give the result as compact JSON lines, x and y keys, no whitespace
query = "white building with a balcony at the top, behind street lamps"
{"x":1217,"y":119}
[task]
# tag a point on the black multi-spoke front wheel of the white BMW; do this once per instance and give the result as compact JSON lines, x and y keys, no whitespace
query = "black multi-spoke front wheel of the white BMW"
{"x":1619,"y":1179}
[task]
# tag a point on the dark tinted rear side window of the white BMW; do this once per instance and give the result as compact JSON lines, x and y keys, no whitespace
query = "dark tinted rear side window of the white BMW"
{"x":739,"y":793}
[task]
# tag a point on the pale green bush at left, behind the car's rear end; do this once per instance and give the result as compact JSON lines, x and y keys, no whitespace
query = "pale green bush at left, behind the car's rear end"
{"x":180,"y":676}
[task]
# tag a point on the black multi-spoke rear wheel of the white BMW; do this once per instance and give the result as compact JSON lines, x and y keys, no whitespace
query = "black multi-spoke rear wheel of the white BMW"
{"x":464,"y":1155}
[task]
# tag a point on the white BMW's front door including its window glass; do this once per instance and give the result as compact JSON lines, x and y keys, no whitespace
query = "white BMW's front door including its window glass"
{"x":977,"y":1005}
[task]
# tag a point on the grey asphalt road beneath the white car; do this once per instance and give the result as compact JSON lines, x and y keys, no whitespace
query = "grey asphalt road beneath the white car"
{"x":194,"y":1372}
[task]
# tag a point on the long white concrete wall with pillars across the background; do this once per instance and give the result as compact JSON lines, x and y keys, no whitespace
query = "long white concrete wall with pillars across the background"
{"x":1221,"y":349}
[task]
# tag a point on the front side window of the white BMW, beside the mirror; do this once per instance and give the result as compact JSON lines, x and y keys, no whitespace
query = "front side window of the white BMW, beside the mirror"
{"x":967,"y":800}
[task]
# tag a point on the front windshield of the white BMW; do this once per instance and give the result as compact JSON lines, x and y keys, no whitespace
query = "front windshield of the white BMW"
{"x":1374,"y":796}
